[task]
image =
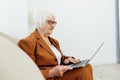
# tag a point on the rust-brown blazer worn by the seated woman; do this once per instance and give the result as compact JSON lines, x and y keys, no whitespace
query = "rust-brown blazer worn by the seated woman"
{"x":40,"y":52}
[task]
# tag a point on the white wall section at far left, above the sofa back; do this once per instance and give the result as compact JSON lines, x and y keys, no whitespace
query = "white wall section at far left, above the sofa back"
{"x":13,"y":17}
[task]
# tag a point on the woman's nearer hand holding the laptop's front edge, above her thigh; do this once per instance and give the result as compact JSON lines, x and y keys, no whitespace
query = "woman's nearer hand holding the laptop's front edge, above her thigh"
{"x":58,"y":70}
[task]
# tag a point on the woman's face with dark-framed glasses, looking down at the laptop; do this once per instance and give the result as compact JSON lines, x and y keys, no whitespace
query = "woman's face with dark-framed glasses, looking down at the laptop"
{"x":49,"y":25}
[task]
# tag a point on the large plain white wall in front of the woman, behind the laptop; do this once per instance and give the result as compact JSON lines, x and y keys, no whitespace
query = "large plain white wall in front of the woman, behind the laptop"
{"x":83,"y":25}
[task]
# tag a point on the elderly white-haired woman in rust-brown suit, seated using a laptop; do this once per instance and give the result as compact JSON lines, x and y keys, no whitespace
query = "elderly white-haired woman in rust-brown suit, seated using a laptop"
{"x":46,"y":53}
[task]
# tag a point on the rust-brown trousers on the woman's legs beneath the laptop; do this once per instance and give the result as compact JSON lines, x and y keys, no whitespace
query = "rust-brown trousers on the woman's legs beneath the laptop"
{"x":82,"y":73}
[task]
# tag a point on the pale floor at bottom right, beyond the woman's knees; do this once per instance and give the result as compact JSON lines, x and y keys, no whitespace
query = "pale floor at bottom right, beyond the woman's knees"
{"x":106,"y":72}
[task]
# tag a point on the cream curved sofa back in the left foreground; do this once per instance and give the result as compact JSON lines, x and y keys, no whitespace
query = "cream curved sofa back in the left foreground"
{"x":15,"y":64}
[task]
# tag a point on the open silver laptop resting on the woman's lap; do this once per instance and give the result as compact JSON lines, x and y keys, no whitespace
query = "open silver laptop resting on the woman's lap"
{"x":83,"y":63}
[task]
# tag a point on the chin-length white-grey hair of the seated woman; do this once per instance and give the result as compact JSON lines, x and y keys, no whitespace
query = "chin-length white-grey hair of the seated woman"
{"x":41,"y":17}
